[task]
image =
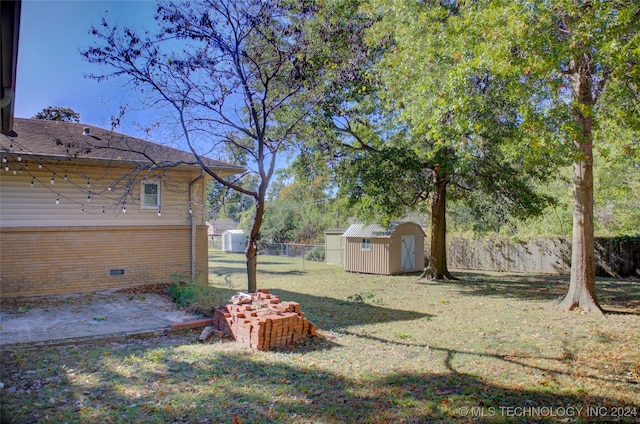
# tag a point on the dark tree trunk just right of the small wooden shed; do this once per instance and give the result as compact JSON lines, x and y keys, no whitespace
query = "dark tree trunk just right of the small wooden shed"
{"x":437,"y":268}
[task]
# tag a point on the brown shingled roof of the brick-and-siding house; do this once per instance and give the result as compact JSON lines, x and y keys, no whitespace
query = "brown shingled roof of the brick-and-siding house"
{"x":69,"y":140}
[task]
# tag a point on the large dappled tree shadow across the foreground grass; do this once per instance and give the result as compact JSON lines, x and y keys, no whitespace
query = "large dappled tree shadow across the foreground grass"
{"x":158,"y":383}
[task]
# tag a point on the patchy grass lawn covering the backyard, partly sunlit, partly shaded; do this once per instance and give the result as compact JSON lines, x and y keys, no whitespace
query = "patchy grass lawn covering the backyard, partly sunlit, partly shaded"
{"x":486,"y":348}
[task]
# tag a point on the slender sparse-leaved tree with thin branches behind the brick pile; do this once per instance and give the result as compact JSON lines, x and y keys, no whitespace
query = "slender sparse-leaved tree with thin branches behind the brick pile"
{"x":233,"y":72}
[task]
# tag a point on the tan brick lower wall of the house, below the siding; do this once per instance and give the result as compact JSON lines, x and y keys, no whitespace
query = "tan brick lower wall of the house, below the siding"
{"x":38,"y":261}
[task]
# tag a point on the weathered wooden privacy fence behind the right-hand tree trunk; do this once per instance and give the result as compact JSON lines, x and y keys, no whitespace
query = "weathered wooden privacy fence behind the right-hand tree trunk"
{"x":615,"y":257}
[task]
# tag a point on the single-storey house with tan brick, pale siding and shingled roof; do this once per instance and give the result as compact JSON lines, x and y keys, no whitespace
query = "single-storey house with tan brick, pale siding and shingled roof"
{"x":85,"y":209}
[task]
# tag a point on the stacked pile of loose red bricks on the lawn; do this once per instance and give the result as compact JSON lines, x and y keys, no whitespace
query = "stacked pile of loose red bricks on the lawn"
{"x":265,"y":322}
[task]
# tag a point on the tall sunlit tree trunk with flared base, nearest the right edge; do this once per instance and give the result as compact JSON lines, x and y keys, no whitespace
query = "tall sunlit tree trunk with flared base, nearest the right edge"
{"x":582,"y":286}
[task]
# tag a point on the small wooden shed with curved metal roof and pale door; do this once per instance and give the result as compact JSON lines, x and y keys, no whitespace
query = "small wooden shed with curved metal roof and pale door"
{"x":373,"y":249}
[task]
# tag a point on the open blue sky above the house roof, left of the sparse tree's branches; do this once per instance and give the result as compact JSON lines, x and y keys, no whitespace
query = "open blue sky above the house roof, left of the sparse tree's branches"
{"x":51,"y":71}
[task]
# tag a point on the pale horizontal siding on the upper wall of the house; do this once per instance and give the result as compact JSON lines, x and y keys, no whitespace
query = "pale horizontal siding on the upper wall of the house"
{"x":24,"y":206}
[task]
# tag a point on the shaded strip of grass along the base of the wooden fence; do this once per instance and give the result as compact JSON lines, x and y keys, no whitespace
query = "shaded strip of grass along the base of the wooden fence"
{"x":617,"y":296}
